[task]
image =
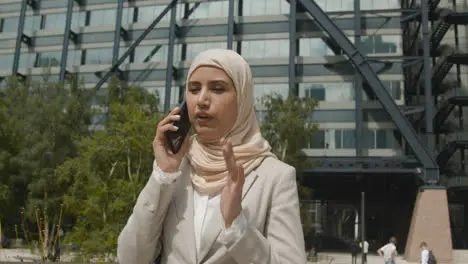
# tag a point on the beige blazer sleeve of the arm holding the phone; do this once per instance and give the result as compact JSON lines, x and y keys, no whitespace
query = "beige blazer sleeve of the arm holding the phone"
{"x":140,"y":239}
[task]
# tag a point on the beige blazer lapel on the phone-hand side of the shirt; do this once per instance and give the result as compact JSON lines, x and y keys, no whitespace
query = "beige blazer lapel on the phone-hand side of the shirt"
{"x":185,"y":214}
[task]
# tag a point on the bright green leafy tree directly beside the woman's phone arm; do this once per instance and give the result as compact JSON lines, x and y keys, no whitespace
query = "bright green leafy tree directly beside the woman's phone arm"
{"x":112,"y":168}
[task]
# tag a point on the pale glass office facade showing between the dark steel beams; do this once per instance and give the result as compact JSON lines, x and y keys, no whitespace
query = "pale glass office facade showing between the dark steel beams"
{"x":264,"y":42}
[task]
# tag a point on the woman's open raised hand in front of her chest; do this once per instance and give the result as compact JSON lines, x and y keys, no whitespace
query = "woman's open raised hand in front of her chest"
{"x":231,"y":195}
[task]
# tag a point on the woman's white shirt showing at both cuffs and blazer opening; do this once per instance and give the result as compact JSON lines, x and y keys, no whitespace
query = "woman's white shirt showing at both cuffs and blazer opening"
{"x":204,"y":207}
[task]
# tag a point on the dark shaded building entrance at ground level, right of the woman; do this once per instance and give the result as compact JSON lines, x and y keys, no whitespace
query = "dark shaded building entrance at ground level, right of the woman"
{"x":389,"y":202}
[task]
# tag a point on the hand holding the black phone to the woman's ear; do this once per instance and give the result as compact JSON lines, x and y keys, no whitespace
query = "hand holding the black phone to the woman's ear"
{"x":166,"y":160}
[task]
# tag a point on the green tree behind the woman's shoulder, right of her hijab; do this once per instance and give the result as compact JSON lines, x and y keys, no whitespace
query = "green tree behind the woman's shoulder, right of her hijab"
{"x":285,"y":126}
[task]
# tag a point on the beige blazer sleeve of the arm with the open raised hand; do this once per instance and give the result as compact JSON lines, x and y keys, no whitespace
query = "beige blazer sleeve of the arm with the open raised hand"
{"x":284,"y":241}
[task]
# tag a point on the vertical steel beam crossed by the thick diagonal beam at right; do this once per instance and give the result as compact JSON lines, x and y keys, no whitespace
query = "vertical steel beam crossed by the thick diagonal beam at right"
{"x":358,"y":87}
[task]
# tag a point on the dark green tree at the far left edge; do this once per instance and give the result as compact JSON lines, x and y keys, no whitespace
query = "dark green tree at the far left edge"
{"x":39,"y":125}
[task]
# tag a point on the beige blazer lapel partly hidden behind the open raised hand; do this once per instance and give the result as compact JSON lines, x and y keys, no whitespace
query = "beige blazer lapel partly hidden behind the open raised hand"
{"x":215,"y":224}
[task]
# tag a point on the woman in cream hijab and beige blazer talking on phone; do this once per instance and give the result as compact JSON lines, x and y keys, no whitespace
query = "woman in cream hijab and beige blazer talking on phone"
{"x":224,"y":198}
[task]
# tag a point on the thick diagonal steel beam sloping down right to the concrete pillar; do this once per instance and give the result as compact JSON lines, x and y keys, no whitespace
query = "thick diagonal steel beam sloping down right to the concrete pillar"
{"x":431,"y":171}
